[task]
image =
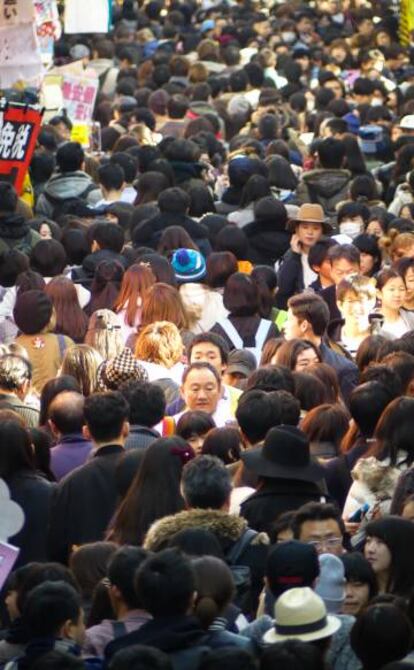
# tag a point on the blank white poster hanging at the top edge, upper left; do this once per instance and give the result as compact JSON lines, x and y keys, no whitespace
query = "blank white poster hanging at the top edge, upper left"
{"x":96,"y":19}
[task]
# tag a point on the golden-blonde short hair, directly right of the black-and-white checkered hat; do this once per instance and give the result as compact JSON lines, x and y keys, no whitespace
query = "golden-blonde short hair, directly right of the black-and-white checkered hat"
{"x":161,"y":343}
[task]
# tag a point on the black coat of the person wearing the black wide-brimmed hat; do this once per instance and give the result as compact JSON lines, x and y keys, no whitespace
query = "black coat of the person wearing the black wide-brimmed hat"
{"x":274,"y":498}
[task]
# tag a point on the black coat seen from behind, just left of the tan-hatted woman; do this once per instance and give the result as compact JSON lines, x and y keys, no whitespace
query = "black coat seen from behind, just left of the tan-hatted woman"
{"x":266,"y":245}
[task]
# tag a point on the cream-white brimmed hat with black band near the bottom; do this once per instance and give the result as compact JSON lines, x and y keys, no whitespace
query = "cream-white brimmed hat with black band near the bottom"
{"x":301,"y":614}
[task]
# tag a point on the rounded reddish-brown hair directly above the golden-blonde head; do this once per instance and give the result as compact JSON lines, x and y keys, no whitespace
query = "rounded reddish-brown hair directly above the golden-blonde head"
{"x":163,"y":303}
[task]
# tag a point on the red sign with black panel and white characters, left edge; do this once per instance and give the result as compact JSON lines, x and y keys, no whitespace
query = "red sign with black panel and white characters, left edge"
{"x":19,"y":128}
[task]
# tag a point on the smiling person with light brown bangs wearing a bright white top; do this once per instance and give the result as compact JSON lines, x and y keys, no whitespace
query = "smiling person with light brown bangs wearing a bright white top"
{"x":356,"y":298}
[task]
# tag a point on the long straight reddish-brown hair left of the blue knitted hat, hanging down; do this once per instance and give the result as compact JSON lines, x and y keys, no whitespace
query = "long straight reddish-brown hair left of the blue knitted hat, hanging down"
{"x":136,"y":281}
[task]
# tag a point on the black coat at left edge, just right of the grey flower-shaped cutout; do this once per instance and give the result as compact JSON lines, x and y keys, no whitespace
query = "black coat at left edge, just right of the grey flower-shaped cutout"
{"x":34,"y":495}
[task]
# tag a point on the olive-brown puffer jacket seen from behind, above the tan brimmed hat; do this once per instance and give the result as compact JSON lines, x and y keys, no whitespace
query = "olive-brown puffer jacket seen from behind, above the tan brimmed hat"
{"x":325,"y":187}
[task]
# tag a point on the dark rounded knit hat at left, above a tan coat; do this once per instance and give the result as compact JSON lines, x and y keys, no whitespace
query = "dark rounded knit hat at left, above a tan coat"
{"x":32,"y":312}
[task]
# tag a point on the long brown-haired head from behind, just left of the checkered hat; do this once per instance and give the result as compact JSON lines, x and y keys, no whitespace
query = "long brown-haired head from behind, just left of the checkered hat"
{"x":82,"y":362}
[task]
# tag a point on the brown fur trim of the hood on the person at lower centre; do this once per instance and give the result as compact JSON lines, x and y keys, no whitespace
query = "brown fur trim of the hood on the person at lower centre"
{"x":228,"y":528}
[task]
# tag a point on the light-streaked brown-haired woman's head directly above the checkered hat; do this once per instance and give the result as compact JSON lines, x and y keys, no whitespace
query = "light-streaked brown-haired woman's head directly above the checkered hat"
{"x":105,"y":334}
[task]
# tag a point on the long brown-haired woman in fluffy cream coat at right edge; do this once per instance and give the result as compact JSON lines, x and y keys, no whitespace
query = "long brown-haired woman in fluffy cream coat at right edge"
{"x":376,"y":474}
